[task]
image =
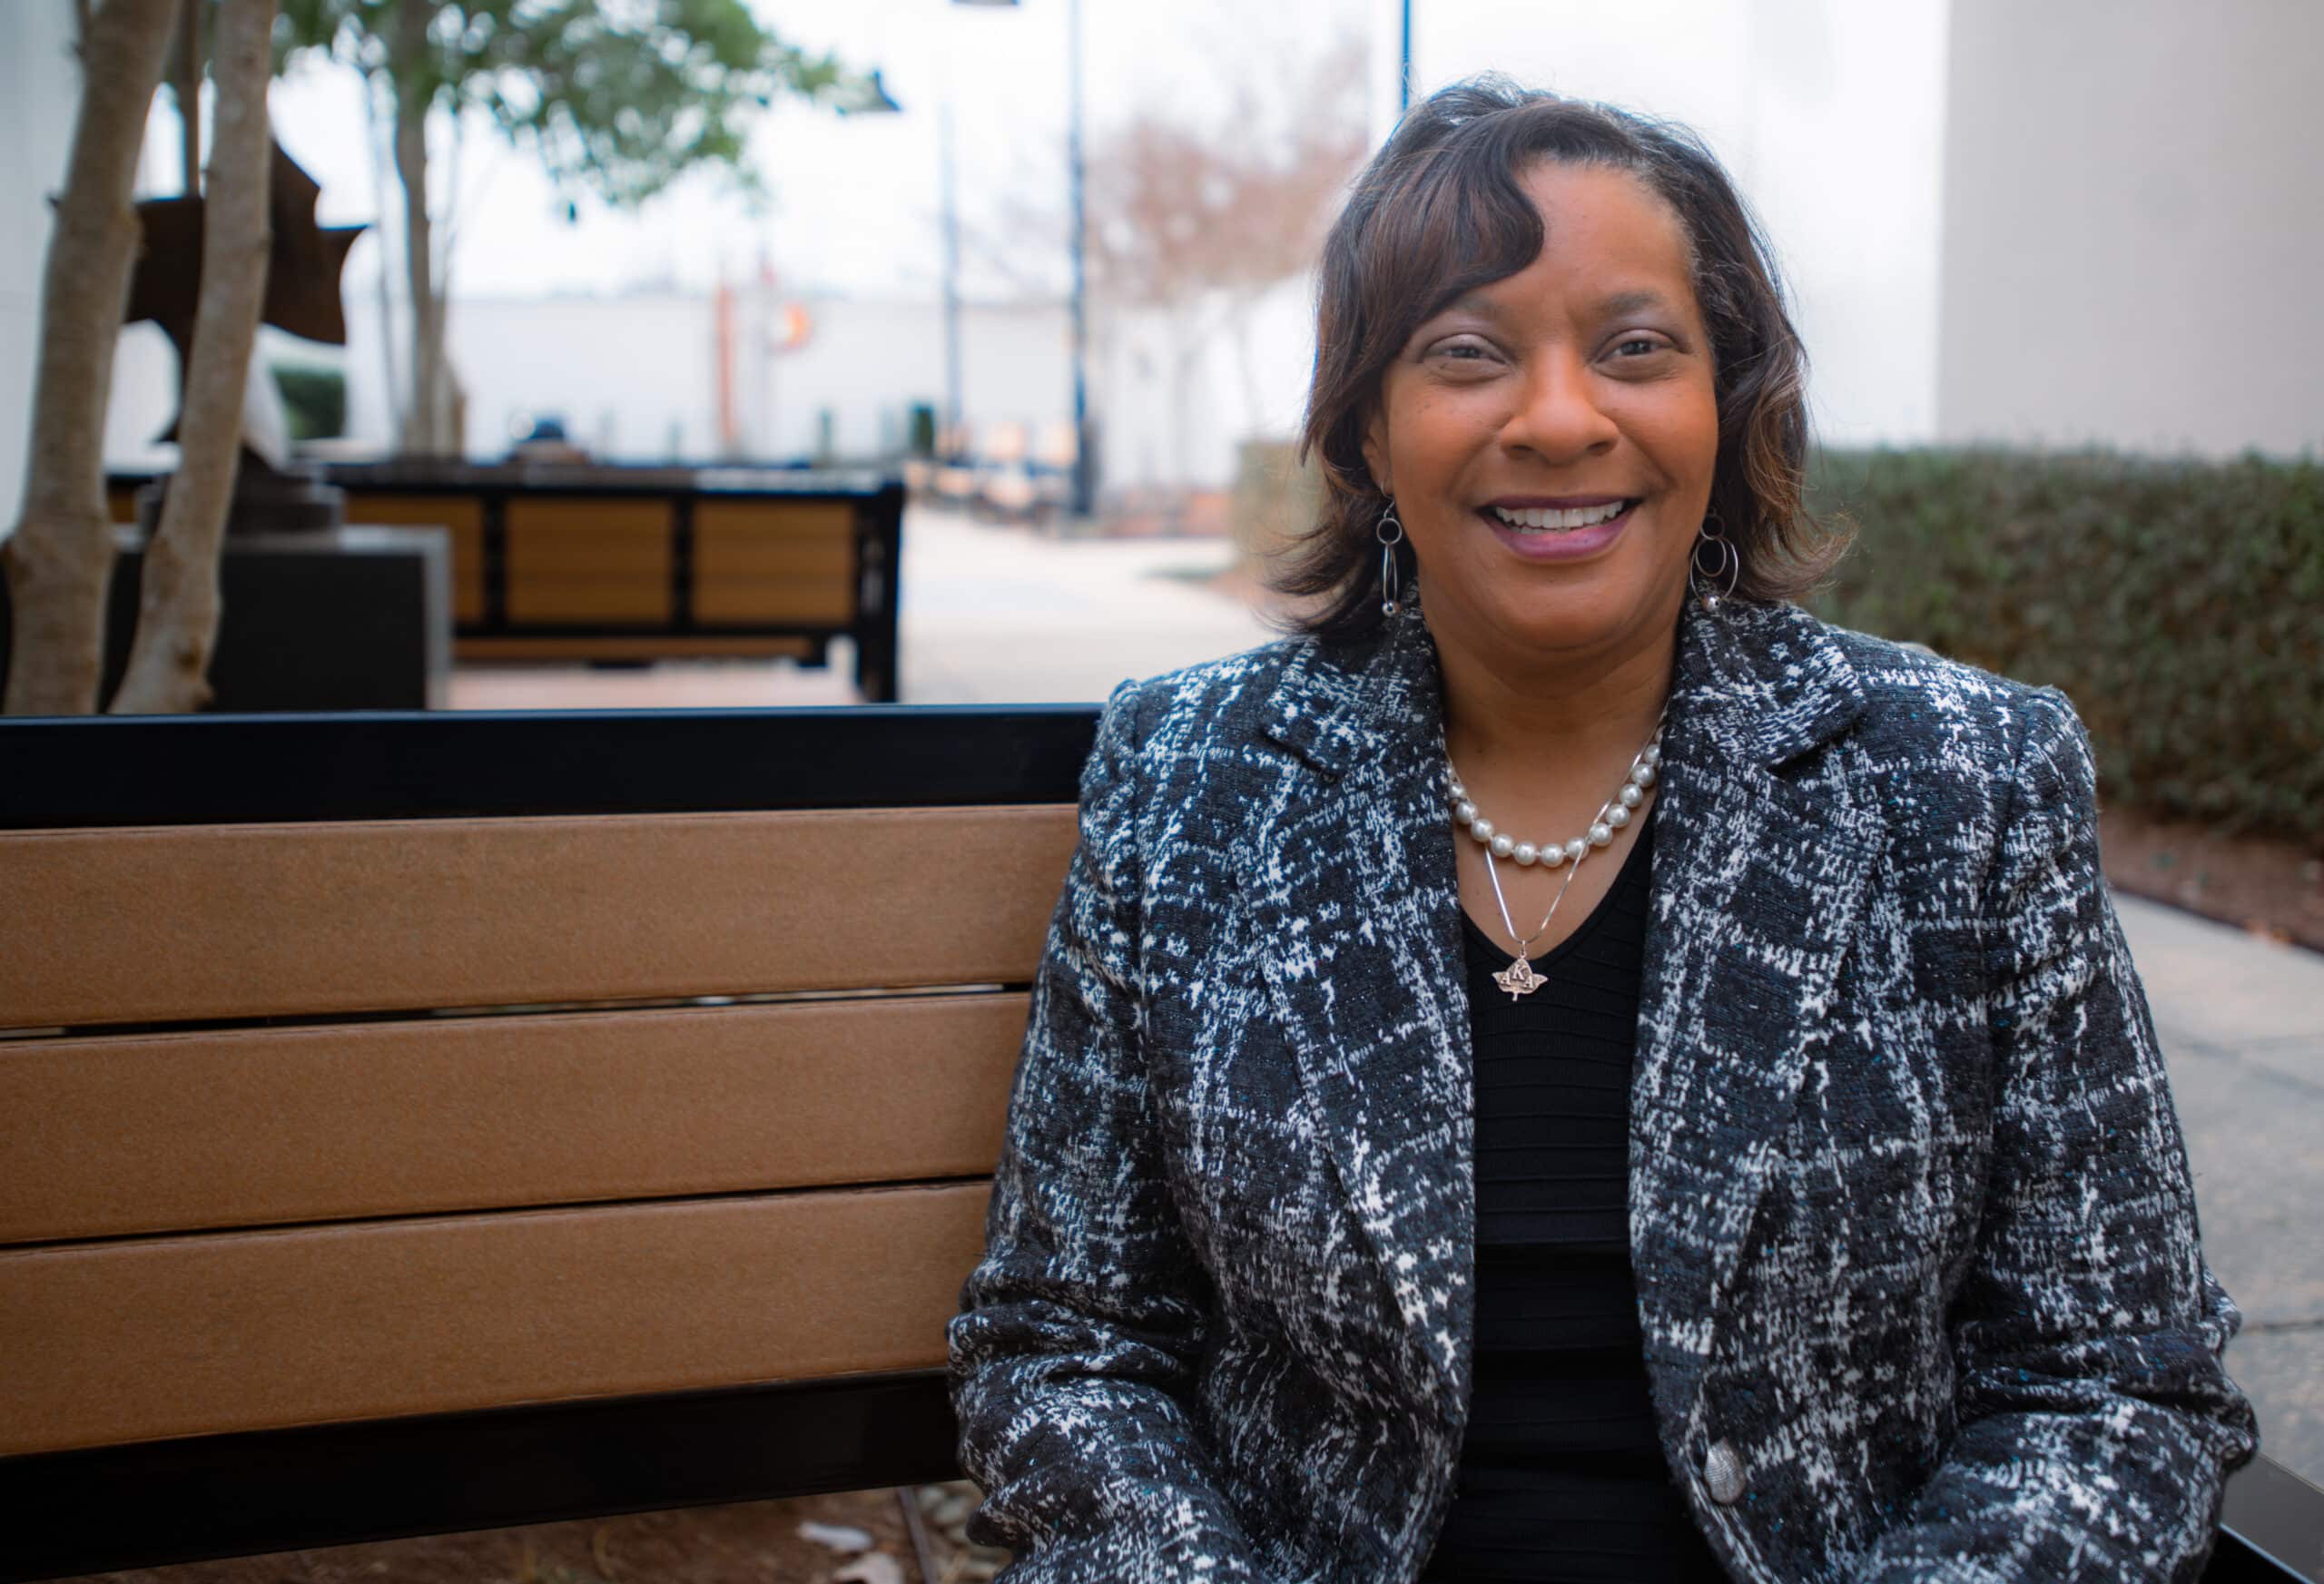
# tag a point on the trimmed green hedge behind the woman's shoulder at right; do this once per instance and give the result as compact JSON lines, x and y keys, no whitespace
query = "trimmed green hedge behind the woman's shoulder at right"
{"x":2181,"y":607}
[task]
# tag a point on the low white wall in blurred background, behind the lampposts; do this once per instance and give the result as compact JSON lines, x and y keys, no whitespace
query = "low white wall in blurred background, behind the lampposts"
{"x":636,"y":377}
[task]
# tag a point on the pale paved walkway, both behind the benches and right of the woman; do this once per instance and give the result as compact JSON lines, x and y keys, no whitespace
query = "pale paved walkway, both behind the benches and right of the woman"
{"x":996,"y":617}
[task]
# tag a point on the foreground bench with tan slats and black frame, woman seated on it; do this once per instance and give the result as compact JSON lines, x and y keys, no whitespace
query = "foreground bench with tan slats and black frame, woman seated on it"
{"x":429,"y":1123}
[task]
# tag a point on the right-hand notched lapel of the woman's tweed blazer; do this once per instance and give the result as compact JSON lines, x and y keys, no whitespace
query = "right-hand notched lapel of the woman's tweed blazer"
{"x":1758,"y":881}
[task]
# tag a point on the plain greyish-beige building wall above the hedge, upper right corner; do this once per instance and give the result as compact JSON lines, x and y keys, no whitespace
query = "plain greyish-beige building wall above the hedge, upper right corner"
{"x":2135,"y":224}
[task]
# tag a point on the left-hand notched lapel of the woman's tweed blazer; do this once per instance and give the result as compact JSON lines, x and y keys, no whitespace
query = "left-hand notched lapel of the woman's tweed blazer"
{"x":1356,"y":893}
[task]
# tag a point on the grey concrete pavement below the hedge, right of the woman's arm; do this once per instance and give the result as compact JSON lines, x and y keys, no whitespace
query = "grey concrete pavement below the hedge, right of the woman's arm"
{"x":2241,"y":1021}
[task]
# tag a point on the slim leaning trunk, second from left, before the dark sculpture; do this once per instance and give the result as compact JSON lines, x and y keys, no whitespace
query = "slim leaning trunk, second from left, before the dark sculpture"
{"x":178,"y":607}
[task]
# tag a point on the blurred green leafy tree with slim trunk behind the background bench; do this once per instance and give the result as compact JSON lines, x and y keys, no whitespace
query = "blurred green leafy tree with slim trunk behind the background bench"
{"x":617,"y":99}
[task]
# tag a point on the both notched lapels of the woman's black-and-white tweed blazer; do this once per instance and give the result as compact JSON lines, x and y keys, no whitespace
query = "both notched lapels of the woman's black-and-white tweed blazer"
{"x":1758,"y":879}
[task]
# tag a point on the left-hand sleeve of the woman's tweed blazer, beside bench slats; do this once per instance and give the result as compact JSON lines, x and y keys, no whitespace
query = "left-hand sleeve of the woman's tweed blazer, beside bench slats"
{"x":1077,"y":1334}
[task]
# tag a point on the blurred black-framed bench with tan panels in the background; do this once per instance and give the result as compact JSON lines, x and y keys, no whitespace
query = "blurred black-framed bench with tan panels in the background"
{"x":594,"y":563}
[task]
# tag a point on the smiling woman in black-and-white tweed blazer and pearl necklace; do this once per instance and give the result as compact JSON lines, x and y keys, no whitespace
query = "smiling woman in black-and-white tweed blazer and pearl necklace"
{"x":1572,"y":1032}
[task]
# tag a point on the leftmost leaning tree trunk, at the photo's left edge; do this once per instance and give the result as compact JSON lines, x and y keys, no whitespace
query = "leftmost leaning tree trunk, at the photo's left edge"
{"x":62,"y":554}
